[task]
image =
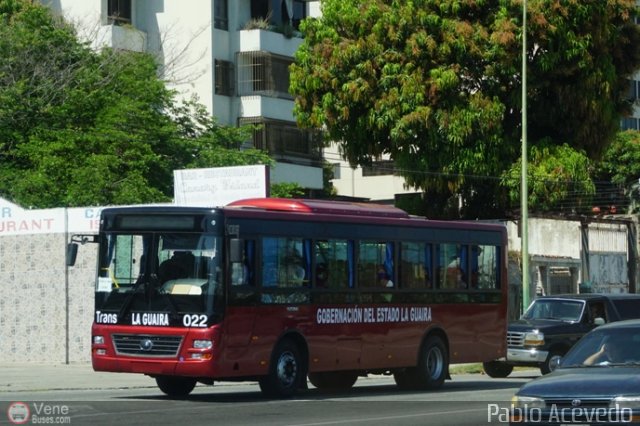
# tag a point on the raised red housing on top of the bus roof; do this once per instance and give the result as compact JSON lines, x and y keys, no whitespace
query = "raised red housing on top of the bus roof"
{"x":320,"y":207}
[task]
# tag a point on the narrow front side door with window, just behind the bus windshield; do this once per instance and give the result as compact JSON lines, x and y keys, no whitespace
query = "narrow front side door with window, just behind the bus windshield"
{"x":242,"y":295}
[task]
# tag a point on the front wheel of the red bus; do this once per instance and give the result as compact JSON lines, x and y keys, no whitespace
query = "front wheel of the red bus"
{"x":286,"y":371}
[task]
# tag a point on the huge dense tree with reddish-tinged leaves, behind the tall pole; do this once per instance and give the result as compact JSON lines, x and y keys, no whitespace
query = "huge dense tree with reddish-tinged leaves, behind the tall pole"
{"x":436,"y":85}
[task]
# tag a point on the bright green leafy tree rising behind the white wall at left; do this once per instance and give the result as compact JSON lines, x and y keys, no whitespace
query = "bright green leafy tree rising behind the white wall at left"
{"x":79,"y":127}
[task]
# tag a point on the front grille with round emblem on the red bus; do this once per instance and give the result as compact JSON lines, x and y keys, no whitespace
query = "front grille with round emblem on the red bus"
{"x":147,"y":345}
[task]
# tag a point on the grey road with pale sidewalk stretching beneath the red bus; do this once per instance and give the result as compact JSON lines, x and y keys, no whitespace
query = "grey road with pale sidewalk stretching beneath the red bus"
{"x":77,"y":395}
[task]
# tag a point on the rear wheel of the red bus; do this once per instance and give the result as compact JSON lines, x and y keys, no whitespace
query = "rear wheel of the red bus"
{"x":433,"y":364}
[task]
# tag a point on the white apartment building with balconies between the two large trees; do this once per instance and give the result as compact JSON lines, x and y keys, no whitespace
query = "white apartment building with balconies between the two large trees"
{"x":232,"y":54}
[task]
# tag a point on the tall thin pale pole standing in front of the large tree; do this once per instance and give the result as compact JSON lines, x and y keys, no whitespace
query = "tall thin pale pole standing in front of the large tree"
{"x":524,"y":218}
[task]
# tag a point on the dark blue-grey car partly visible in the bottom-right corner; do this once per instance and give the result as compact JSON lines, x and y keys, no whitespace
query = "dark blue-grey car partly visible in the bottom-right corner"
{"x":597,"y":382}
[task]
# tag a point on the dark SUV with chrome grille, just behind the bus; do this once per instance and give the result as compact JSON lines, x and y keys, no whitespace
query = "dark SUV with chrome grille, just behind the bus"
{"x":552,"y":324}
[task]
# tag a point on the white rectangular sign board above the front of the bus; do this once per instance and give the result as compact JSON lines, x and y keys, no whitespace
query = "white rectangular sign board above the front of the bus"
{"x":219,"y":186}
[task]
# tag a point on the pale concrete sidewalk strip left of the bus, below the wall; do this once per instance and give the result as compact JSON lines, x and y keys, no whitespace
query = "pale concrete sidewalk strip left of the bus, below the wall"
{"x":21,"y":377}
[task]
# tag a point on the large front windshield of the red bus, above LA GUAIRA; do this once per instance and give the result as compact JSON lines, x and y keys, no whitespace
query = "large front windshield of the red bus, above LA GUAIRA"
{"x":174,"y":273}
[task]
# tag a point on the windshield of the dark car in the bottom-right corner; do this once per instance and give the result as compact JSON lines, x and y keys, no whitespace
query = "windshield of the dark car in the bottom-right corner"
{"x":605,"y":347}
